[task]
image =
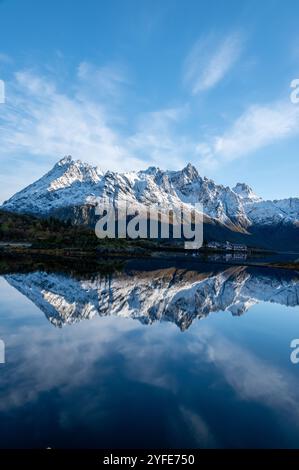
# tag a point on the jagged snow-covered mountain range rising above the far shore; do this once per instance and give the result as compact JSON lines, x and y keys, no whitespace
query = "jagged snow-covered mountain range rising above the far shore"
{"x":72,"y":189}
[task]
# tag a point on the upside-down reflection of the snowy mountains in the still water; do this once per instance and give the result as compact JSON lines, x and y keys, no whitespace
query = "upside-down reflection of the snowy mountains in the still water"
{"x":171,"y":294}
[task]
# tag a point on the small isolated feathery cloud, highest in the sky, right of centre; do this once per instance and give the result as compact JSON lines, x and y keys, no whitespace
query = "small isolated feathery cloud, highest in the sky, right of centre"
{"x":210,"y":59}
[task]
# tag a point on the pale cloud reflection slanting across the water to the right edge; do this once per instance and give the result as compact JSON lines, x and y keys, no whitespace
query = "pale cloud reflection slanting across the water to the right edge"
{"x":249,"y":375}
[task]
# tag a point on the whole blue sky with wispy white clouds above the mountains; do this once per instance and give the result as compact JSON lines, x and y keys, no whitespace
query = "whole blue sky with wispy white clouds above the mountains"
{"x":125,"y":84}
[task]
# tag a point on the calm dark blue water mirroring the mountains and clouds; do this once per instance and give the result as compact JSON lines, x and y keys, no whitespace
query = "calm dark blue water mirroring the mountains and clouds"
{"x":155,"y":356}
